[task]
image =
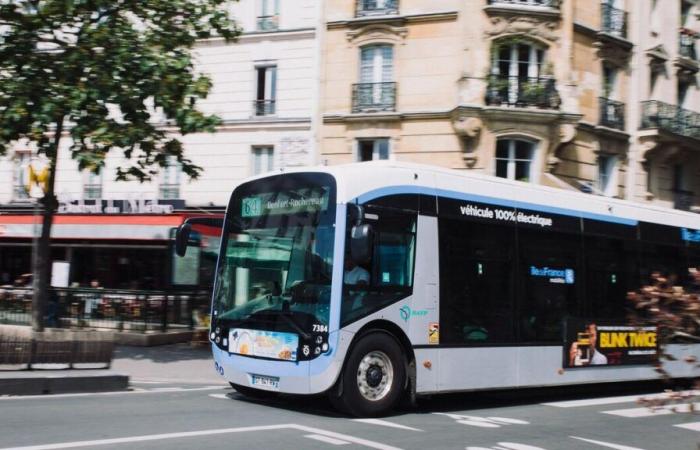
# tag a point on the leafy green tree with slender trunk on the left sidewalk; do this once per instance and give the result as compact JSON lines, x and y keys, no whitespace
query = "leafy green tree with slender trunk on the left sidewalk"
{"x":99,"y":74}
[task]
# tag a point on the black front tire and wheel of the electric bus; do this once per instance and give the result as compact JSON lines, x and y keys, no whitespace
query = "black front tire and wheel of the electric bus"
{"x":374,"y":376}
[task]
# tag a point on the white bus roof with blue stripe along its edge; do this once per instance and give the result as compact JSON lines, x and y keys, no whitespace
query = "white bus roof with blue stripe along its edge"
{"x":367,"y":180}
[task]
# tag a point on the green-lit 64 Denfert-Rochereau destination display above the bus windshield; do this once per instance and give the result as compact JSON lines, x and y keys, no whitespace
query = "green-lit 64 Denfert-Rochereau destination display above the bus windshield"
{"x":285,"y":202}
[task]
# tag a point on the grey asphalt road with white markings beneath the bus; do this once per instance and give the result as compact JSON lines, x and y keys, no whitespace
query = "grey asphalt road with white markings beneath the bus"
{"x":175,"y":415}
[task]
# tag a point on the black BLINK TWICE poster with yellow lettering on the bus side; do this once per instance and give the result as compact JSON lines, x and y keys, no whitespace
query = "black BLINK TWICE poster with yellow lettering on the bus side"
{"x":602,"y":343}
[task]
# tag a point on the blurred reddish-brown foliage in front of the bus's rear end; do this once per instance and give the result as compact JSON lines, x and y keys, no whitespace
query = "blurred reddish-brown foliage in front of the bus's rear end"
{"x":675,"y":312}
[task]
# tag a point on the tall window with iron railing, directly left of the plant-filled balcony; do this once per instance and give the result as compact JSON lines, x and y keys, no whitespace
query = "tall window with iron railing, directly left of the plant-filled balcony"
{"x":376,"y":91}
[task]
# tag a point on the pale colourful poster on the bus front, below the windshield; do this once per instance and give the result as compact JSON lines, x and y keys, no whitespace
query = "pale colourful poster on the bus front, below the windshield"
{"x":265,"y":344}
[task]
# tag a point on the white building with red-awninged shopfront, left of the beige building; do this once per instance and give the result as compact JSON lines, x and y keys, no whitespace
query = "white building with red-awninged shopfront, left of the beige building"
{"x":265,"y":90}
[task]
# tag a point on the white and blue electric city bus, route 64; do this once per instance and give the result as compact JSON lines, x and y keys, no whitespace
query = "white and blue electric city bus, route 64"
{"x":461,"y":282}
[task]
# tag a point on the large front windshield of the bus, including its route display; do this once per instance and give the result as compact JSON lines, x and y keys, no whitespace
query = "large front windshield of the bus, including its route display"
{"x":277,"y":256}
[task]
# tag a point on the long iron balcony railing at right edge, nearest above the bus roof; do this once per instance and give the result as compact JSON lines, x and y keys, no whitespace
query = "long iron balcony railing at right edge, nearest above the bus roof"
{"x":670,"y":118}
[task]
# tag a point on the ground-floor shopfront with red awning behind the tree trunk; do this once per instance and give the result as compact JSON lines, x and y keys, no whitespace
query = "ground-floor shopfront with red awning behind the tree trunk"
{"x":119,"y":251}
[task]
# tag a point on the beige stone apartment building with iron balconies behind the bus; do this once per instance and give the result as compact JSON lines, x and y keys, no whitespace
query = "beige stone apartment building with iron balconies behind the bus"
{"x":583,"y":95}
